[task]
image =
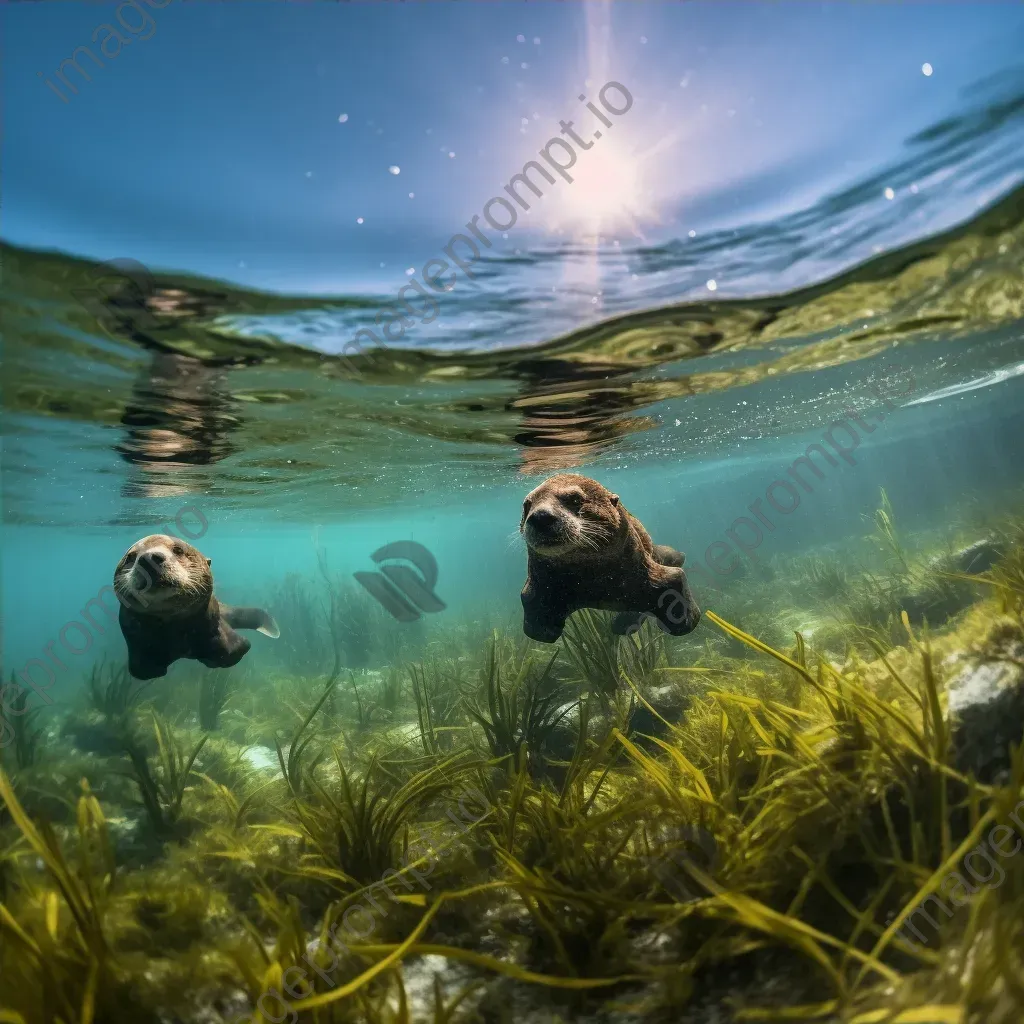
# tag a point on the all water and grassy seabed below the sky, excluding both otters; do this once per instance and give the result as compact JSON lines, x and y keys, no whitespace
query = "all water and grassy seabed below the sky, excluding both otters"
{"x":404,"y":810}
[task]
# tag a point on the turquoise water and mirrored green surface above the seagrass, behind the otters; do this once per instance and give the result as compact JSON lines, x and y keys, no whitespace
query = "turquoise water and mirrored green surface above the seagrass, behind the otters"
{"x":691,"y":412}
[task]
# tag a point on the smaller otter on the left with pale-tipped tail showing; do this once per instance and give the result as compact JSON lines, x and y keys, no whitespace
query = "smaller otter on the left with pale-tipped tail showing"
{"x":168,"y":610}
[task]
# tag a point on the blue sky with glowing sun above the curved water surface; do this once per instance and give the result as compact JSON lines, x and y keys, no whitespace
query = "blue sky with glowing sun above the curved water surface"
{"x":216,"y":145}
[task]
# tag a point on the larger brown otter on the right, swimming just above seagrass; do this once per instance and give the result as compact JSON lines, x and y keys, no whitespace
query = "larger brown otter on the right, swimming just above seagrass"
{"x":586,"y":551}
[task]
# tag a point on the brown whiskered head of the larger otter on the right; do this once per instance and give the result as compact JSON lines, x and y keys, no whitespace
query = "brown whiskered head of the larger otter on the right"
{"x":570,"y":515}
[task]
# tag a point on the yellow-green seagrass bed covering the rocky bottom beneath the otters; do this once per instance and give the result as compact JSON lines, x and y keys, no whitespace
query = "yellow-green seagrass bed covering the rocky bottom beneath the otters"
{"x":165,"y":877}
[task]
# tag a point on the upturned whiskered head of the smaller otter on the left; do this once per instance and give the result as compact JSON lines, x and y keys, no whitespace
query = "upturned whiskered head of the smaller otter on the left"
{"x":162,"y":576}
